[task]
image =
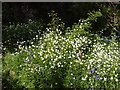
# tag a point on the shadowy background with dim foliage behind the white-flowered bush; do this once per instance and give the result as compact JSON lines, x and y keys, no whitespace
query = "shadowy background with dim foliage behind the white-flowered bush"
{"x":36,"y":15}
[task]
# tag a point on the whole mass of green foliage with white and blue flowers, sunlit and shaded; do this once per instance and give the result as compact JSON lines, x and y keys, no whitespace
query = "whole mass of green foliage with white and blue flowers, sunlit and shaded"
{"x":55,"y":55}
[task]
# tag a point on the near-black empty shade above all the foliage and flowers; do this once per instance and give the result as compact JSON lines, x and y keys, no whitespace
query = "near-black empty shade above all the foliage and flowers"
{"x":68,"y":12}
